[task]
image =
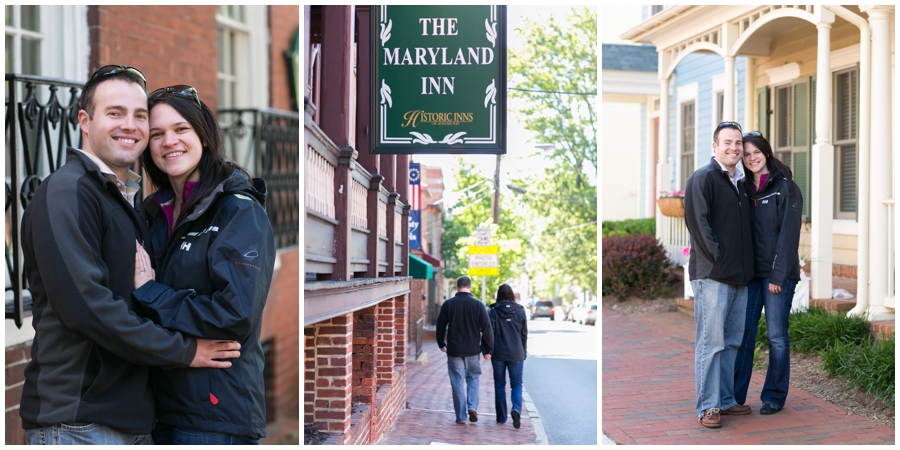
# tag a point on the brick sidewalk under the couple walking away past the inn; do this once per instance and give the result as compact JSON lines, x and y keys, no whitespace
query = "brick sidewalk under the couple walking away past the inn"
{"x":429,"y":416}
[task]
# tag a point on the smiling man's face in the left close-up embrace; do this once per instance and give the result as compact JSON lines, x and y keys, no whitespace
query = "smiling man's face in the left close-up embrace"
{"x":117,"y":134}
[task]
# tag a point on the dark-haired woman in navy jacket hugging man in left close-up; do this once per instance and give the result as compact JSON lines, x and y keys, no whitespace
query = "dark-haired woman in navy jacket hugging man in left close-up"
{"x":212,"y":257}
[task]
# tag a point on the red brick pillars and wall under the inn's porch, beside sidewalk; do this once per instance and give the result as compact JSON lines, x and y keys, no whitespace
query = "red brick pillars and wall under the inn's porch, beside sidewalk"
{"x":376,"y":373}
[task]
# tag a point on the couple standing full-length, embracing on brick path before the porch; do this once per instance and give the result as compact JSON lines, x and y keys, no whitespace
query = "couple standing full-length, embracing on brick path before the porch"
{"x":745,"y":233}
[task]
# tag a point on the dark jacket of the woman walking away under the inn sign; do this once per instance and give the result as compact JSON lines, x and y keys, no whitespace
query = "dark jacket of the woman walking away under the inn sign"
{"x":510,"y":328}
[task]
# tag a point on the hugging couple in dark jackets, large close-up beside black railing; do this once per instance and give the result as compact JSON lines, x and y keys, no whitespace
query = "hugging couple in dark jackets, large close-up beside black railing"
{"x":147,"y":315}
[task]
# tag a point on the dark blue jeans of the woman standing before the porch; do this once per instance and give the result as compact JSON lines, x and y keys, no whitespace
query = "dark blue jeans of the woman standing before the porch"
{"x":778,"y":310}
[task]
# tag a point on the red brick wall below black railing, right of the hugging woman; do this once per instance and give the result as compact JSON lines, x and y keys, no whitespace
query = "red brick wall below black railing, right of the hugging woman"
{"x":281,"y":324}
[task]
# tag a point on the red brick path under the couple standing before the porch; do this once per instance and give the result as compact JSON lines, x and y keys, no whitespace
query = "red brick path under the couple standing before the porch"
{"x":649,"y":398}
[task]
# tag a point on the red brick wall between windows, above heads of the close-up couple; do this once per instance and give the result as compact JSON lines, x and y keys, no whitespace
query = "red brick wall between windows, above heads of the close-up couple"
{"x":169,"y":44}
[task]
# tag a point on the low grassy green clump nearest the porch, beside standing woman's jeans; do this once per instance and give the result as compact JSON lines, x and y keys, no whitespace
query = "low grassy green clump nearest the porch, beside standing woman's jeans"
{"x":817,"y":329}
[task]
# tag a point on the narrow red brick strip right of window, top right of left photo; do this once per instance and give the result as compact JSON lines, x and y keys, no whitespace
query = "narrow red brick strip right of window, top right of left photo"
{"x":284,"y":22}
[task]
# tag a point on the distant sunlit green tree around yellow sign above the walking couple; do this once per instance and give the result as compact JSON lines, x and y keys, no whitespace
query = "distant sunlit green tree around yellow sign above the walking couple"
{"x":474,"y":210}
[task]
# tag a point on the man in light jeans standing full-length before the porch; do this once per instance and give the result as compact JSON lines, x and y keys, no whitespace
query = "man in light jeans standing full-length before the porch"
{"x":717,"y":215}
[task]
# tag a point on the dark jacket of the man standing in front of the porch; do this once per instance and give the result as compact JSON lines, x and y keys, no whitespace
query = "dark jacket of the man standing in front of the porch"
{"x":717,"y":215}
